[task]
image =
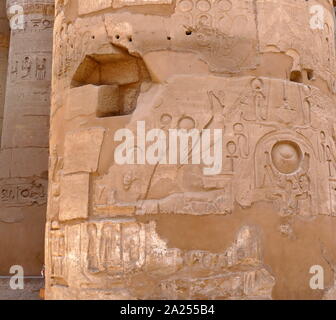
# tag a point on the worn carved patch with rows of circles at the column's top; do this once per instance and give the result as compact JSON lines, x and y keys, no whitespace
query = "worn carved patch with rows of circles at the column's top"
{"x":213,"y":25}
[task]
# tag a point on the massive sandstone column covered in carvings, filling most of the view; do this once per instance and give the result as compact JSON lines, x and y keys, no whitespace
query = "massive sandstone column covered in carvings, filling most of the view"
{"x":257,"y":70}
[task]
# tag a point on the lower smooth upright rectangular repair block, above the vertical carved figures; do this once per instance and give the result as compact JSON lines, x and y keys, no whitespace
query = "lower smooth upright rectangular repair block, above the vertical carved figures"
{"x":74,"y":200}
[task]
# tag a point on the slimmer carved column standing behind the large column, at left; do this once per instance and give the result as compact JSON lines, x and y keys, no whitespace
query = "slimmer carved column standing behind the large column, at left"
{"x":24,"y":153}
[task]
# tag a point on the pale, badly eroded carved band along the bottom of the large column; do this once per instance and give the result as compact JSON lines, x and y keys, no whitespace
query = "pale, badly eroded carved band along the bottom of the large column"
{"x":128,"y":249}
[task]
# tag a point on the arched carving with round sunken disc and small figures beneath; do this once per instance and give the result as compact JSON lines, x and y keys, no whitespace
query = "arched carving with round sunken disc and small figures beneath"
{"x":288,"y":173}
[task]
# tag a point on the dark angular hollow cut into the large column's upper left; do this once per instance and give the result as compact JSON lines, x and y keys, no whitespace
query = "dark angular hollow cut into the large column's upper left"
{"x":120,"y":76}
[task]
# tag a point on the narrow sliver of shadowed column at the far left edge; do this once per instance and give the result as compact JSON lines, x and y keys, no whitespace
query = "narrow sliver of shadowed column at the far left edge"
{"x":4,"y":42}
